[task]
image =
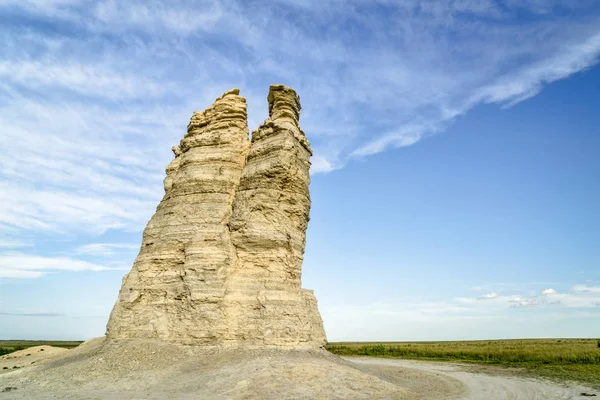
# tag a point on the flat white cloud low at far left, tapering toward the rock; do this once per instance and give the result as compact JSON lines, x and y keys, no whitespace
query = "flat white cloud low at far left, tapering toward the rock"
{"x":18,"y":265}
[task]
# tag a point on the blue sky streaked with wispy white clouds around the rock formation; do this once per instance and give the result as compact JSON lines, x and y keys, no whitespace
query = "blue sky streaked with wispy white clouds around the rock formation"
{"x":455,"y":175}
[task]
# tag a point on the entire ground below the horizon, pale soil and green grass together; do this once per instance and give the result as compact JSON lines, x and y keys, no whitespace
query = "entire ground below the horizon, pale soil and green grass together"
{"x":404,"y":370}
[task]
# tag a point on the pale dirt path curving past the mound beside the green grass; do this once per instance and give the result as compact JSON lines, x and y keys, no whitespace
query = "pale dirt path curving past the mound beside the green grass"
{"x":475,"y":386}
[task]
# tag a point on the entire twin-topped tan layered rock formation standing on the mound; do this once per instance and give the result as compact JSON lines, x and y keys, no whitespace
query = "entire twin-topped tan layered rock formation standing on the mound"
{"x":221,"y":258}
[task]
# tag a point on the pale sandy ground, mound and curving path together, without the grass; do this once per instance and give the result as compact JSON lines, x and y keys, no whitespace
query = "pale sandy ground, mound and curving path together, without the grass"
{"x":155,"y":370}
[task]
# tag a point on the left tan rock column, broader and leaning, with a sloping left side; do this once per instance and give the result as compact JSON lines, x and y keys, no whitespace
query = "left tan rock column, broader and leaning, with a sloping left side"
{"x":175,"y":288}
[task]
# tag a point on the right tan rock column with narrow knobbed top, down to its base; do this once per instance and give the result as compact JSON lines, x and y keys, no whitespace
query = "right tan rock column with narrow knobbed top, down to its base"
{"x":265,"y":303}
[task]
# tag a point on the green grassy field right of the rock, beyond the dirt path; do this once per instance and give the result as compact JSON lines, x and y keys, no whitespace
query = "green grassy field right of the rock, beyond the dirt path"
{"x":561,"y":359}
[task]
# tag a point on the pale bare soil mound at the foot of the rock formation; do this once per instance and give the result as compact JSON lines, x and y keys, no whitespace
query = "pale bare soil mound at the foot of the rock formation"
{"x":144,"y":369}
